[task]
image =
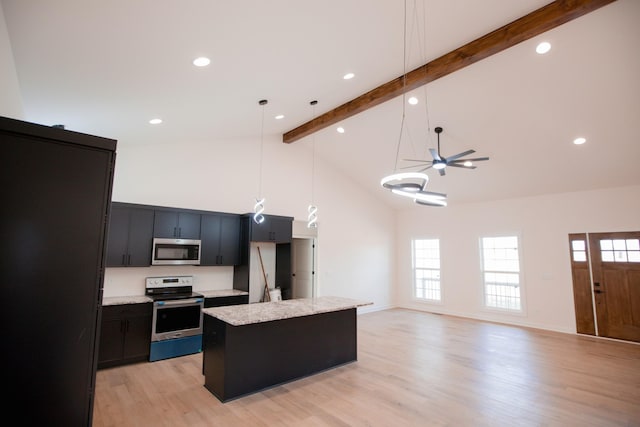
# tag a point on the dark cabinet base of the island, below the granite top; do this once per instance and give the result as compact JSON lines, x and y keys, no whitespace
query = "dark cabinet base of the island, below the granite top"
{"x":240,"y":360}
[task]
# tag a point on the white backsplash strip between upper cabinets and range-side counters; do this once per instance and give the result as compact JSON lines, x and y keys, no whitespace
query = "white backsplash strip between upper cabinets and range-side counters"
{"x":130,"y":281}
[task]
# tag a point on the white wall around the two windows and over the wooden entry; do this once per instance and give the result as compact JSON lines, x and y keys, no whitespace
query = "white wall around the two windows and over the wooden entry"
{"x":543,"y":224}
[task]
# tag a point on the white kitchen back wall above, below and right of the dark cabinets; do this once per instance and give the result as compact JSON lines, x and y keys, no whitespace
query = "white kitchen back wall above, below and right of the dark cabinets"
{"x":356,"y":234}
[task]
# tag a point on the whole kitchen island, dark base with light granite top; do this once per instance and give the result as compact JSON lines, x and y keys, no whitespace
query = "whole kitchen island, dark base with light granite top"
{"x":248,"y":348}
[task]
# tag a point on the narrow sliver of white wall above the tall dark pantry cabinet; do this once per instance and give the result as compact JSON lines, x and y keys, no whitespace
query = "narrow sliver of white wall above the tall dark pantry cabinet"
{"x":10,"y":99}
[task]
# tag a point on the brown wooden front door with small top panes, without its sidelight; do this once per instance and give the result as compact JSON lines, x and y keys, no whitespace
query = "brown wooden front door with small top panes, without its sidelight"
{"x":616,"y":283}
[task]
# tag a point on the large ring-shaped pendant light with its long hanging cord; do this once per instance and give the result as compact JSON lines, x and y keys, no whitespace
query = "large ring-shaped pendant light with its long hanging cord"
{"x":410,"y":184}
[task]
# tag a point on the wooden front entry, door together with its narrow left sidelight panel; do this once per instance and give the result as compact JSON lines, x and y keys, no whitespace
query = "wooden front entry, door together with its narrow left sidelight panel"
{"x":606,"y":283}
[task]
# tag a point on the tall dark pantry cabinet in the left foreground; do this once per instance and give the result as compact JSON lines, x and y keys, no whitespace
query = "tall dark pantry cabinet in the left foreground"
{"x":56,"y":190}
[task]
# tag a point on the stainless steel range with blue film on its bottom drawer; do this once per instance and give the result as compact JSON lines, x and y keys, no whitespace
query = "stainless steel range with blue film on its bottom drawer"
{"x":177,"y":317}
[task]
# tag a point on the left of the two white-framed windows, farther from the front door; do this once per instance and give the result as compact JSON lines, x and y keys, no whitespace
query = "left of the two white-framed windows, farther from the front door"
{"x":426,"y":269}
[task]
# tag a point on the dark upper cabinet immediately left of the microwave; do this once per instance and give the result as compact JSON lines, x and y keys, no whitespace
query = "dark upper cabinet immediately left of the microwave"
{"x":130,"y":236}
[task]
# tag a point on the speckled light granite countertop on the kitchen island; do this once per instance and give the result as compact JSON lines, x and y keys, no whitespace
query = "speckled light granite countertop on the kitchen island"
{"x":246,"y":314}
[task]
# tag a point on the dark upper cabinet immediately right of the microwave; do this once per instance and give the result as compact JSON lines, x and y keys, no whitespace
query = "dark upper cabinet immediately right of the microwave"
{"x":220,"y":235}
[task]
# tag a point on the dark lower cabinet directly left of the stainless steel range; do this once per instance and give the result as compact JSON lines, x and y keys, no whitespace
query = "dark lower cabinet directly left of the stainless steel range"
{"x":125,"y":335}
